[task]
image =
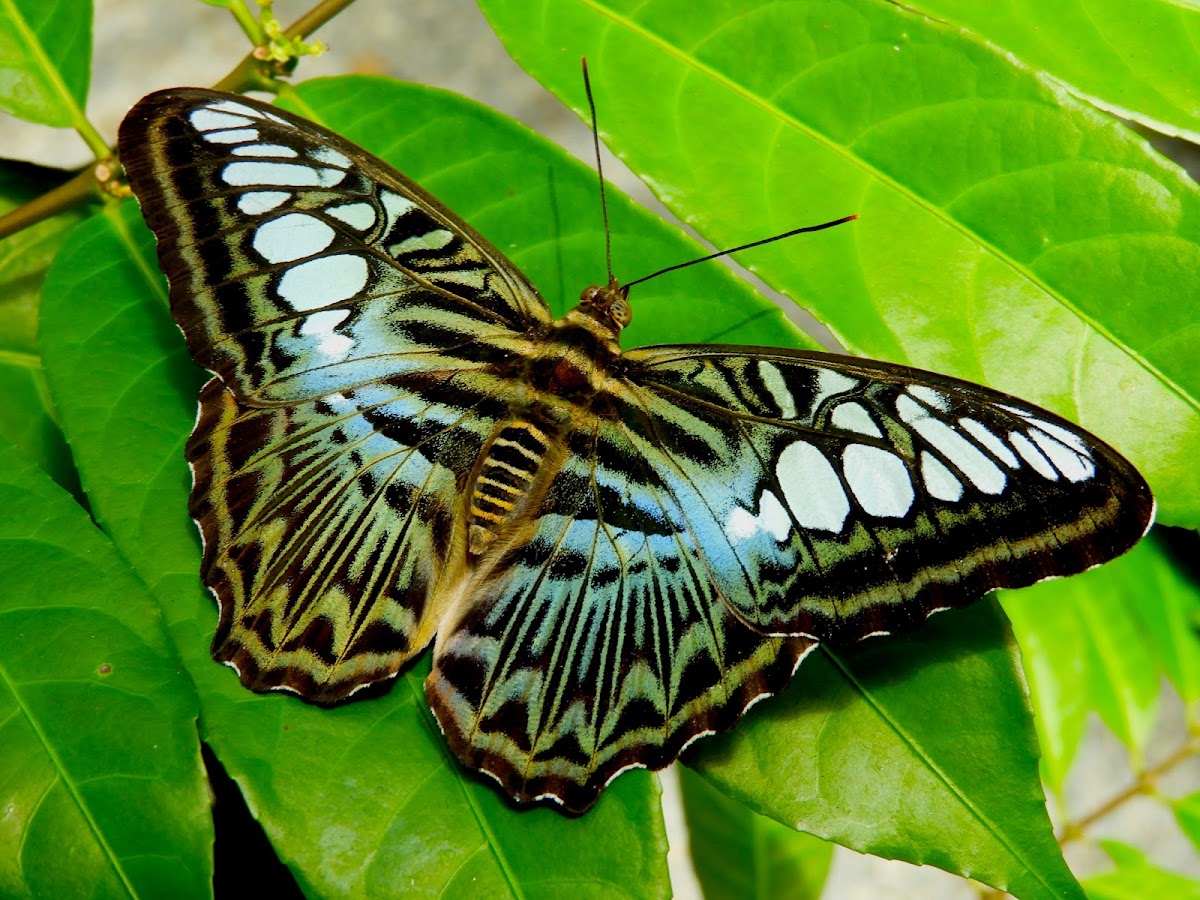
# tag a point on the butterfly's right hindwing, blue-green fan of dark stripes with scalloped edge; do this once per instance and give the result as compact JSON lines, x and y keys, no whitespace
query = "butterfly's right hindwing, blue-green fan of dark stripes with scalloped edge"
{"x":604,"y":644}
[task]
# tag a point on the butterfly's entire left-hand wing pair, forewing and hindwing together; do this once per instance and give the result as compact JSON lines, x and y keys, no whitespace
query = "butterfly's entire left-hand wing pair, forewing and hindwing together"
{"x":351,"y":322}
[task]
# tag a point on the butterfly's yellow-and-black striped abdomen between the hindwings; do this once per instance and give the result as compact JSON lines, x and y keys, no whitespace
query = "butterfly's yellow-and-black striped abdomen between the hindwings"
{"x":506,"y":482}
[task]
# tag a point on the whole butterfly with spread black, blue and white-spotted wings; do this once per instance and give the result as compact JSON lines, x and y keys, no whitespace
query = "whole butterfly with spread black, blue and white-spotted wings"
{"x":615,"y":553}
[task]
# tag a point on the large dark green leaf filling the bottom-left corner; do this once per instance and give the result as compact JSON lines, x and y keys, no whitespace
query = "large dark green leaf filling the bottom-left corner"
{"x":101,"y":779}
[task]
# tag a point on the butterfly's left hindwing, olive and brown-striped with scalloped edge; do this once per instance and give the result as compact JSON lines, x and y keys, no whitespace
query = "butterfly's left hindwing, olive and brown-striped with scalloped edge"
{"x":323,"y":525}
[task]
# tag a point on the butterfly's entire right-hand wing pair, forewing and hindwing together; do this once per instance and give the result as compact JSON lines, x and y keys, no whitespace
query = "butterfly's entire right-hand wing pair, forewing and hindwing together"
{"x":724,"y":505}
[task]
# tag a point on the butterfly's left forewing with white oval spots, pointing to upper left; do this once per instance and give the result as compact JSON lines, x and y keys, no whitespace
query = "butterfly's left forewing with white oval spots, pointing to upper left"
{"x":301,"y":265}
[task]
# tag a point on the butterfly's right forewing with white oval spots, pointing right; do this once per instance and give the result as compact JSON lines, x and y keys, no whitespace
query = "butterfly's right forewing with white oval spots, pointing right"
{"x":853,"y":497}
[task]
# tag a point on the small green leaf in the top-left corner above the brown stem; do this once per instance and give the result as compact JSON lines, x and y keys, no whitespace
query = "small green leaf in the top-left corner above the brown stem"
{"x":46,"y":61}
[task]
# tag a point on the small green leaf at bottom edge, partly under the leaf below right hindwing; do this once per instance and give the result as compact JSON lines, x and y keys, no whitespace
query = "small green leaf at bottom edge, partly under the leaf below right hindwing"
{"x":737,"y":854}
